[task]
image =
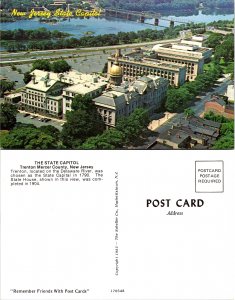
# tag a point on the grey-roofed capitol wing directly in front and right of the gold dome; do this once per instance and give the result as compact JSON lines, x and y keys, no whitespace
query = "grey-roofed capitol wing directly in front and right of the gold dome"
{"x":147,"y":92}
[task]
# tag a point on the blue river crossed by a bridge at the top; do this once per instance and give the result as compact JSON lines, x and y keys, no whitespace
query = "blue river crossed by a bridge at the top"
{"x":78,"y":27}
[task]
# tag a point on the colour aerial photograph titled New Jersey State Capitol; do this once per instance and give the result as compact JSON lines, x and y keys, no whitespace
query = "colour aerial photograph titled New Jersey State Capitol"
{"x":117,"y":74}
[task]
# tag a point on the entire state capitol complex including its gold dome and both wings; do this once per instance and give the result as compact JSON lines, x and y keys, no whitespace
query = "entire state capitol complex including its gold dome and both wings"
{"x":51,"y":94}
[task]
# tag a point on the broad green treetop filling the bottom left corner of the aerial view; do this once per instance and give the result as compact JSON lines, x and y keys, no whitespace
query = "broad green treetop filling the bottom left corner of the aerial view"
{"x":30,"y":138}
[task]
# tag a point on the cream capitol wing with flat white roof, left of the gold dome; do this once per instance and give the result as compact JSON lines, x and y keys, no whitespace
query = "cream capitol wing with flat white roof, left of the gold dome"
{"x":51,"y":93}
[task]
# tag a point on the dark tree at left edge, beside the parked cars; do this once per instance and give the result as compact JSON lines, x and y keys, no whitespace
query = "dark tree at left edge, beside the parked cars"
{"x":7,"y":116}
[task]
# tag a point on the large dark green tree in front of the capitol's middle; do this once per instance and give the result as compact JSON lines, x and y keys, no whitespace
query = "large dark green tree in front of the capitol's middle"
{"x":82,"y":122}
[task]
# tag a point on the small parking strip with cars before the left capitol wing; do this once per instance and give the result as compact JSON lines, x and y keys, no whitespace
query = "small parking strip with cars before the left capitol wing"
{"x":37,"y":120}
